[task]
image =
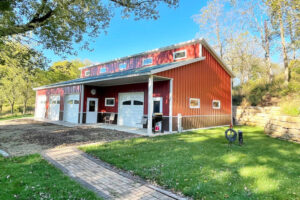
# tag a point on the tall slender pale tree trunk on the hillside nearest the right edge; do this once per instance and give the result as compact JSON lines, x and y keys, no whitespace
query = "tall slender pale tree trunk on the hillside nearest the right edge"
{"x":284,"y":52}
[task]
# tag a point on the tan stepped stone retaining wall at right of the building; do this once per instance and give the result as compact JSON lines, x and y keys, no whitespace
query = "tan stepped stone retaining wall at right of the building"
{"x":275,"y":125}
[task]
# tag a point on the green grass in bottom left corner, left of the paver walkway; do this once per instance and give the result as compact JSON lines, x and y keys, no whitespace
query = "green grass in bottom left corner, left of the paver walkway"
{"x":31,"y":177}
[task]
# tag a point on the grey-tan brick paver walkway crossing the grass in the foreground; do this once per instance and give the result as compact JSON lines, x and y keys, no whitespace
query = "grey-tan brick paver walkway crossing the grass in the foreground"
{"x":98,"y":177}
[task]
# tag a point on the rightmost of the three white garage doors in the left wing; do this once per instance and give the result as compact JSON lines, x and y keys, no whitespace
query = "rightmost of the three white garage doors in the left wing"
{"x":71,"y":108}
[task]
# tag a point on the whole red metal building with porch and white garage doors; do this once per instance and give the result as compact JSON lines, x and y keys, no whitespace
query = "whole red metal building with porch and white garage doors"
{"x":187,"y":84}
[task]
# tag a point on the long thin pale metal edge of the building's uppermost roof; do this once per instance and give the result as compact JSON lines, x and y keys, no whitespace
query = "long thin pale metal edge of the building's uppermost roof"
{"x":147,"y":52}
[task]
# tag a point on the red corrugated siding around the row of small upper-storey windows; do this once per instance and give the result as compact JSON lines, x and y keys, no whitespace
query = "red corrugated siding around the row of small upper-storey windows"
{"x":136,"y":62}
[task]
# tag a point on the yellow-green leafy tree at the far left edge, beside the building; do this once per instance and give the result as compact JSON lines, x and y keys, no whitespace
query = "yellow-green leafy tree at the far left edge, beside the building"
{"x":17,"y":71}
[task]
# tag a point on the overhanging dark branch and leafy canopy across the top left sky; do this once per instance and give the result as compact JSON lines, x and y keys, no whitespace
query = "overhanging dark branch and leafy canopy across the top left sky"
{"x":56,"y":24}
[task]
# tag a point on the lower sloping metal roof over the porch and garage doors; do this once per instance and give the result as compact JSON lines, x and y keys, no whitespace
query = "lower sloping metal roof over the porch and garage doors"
{"x":148,"y":70}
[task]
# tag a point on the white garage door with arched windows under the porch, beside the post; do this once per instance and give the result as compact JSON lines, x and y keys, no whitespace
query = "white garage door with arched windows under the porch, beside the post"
{"x":131,"y":109}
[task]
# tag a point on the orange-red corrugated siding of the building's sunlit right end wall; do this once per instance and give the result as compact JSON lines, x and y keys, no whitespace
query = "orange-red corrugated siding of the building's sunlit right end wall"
{"x":206,"y":80}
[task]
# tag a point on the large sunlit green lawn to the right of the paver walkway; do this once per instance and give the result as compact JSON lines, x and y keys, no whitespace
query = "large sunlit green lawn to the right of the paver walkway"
{"x":201,"y":165}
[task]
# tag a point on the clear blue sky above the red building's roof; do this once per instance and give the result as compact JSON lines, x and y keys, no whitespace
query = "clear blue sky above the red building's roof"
{"x":127,"y":36}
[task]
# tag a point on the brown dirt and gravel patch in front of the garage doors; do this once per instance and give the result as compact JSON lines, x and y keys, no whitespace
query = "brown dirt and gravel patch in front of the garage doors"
{"x":26,"y":136}
